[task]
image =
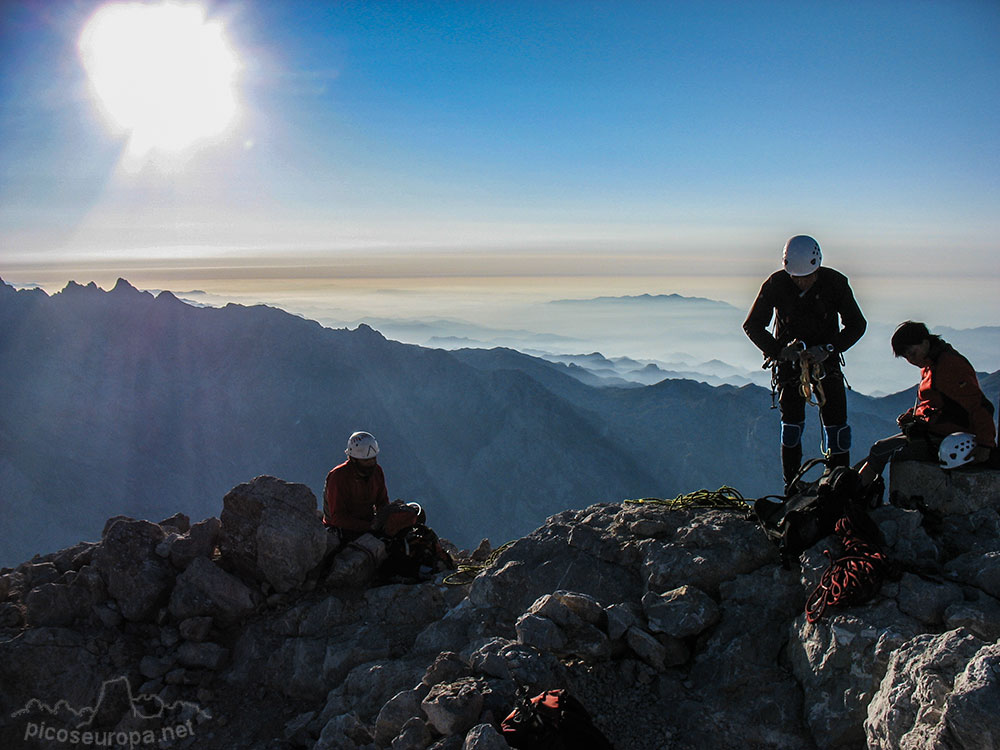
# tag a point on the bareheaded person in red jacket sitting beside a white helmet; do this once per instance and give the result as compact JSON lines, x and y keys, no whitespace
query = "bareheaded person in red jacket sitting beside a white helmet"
{"x":949,"y":400}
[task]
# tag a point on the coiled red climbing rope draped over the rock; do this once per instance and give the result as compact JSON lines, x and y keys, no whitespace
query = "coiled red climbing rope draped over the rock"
{"x":853,"y":578}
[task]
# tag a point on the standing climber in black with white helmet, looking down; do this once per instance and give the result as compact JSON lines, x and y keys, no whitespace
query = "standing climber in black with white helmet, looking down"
{"x":816,"y":319}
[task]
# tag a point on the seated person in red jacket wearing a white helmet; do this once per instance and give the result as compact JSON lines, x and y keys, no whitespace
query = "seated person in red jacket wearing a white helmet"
{"x":355,"y":490}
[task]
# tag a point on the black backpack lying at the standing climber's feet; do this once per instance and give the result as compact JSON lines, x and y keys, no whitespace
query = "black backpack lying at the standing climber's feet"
{"x":796,"y":522}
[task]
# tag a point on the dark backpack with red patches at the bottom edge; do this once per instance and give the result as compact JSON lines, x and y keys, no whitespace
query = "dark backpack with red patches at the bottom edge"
{"x":553,"y":720}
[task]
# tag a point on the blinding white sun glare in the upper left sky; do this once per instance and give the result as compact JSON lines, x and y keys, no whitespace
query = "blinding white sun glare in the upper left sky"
{"x":162,"y":73}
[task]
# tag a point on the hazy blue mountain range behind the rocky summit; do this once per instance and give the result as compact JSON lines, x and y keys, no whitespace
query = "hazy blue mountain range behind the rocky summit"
{"x":120,"y":402}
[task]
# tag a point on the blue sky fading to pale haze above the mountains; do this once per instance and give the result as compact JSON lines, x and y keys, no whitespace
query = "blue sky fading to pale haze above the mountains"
{"x":606,"y":147}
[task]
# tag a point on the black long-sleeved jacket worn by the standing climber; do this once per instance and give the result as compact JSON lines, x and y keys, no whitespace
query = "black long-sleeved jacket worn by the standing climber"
{"x":813,"y":317}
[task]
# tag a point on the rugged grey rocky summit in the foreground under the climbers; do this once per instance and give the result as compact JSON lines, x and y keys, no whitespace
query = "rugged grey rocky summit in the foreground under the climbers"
{"x":676,"y":628}
